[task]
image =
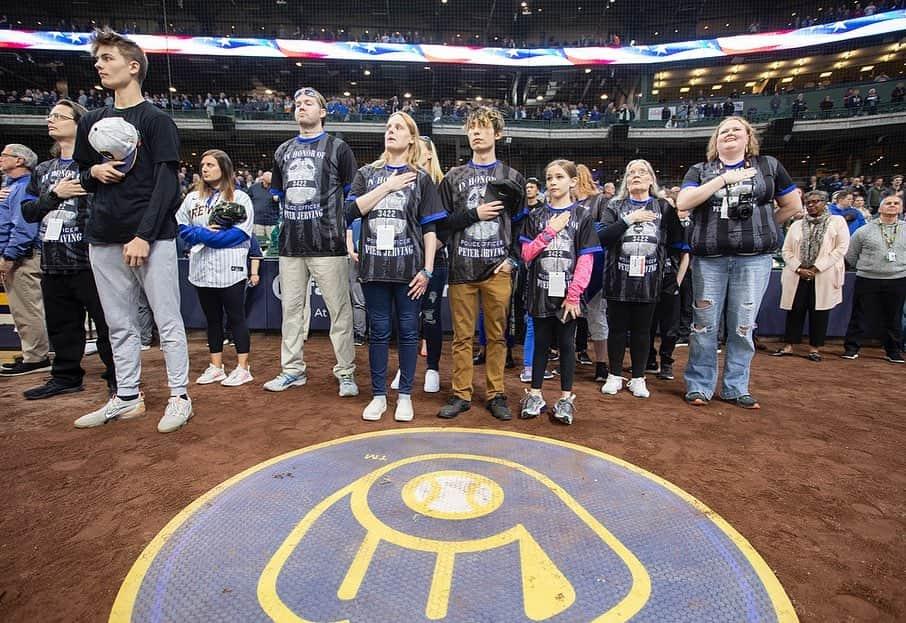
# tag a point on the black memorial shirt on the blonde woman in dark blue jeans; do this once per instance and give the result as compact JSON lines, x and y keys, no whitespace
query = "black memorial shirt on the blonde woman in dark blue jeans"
{"x":404,"y":212}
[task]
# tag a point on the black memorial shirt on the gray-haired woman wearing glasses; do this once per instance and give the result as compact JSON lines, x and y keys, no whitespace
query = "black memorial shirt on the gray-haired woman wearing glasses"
{"x":636,"y":261}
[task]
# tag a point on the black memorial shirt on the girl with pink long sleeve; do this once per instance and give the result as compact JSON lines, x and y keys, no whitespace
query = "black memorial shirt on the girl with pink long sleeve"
{"x":560,"y":255}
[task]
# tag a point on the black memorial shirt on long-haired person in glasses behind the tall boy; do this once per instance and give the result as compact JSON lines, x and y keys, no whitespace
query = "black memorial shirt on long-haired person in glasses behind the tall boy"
{"x":64,"y":248}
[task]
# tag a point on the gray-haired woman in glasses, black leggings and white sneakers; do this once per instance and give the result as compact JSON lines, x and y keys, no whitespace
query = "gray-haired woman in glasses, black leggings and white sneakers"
{"x":637,"y":228}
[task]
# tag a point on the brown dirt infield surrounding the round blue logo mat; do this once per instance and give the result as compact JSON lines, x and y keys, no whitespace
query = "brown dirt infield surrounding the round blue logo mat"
{"x":816,"y":480}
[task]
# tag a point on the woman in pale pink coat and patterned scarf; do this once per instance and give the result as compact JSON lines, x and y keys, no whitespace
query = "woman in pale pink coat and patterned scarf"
{"x":813,"y":278}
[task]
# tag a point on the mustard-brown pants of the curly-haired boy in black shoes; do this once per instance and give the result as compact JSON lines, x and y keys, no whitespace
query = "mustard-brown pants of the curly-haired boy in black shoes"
{"x":495,"y":301}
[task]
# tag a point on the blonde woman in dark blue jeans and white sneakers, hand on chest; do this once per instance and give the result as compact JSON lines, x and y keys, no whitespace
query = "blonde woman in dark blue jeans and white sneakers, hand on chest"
{"x":399,"y":206}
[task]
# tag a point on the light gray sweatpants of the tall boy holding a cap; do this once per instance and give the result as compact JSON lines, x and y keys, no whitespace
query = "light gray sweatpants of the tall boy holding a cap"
{"x":120,"y":288}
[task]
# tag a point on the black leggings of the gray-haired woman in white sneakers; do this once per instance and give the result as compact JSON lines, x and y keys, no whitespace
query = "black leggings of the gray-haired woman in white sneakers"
{"x":634,"y":318}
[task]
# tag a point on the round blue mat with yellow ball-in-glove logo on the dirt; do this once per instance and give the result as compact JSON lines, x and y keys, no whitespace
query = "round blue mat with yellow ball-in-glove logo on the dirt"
{"x":453,"y":525}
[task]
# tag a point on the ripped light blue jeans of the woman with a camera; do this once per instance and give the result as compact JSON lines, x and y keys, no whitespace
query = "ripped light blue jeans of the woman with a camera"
{"x":739,"y":283}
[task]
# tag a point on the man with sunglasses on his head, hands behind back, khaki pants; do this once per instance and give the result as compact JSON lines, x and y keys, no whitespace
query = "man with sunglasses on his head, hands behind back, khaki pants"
{"x":312,"y":174}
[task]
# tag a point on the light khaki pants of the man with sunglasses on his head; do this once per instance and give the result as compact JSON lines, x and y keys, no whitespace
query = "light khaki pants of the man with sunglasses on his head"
{"x":332,"y":276}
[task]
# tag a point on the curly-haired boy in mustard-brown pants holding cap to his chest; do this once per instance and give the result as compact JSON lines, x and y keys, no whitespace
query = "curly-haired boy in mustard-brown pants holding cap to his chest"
{"x":483,"y":255}
